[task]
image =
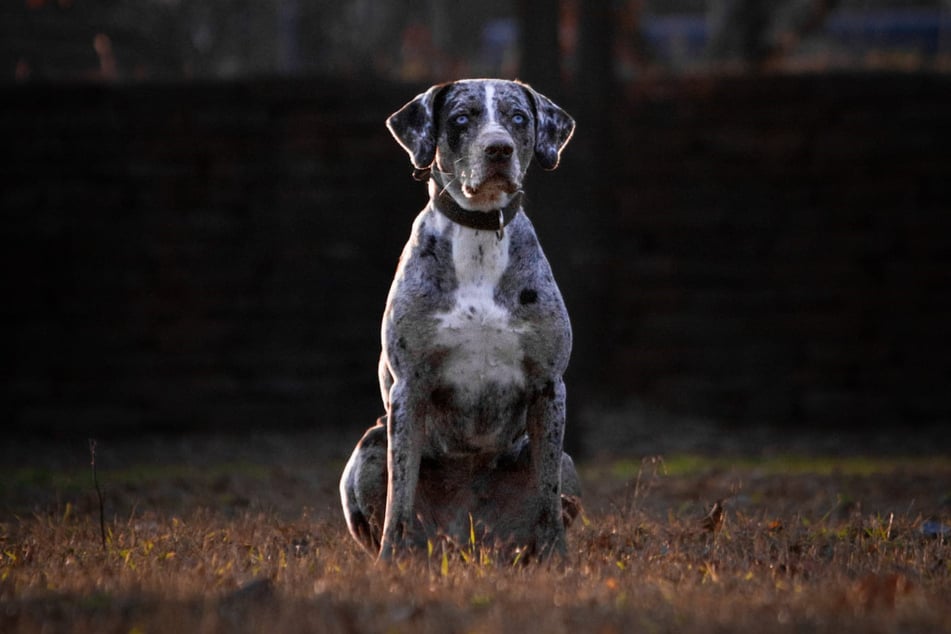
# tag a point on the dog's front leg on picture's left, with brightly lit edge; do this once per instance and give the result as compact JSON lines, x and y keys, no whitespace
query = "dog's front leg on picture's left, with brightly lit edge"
{"x":404,"y":444}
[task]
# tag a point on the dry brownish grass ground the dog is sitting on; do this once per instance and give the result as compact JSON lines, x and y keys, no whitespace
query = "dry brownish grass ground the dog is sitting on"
{"x":804,"y":544}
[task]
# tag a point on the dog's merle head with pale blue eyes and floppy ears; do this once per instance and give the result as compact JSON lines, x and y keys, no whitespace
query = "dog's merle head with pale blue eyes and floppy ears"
{"x":479,"y":136}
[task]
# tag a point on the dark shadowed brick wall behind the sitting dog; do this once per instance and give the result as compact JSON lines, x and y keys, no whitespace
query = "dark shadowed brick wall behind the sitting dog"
{"x":218,"y":255}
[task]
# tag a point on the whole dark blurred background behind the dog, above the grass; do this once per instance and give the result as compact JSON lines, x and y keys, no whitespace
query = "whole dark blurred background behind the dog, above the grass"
{"x":202,"y":209}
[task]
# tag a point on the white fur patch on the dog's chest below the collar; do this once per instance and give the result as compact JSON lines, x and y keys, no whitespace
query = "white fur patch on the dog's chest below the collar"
{"x":483,"y":343}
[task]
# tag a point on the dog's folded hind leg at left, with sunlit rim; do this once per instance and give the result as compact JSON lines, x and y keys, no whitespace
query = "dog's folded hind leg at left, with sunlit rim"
{"x":363,"y":488}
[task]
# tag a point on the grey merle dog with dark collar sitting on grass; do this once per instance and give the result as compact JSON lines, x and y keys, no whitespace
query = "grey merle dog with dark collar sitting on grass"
{"x":475,"y":341}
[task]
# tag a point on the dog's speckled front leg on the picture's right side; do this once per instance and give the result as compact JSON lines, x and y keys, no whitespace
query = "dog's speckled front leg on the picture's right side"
{"x":546,"y":430}
